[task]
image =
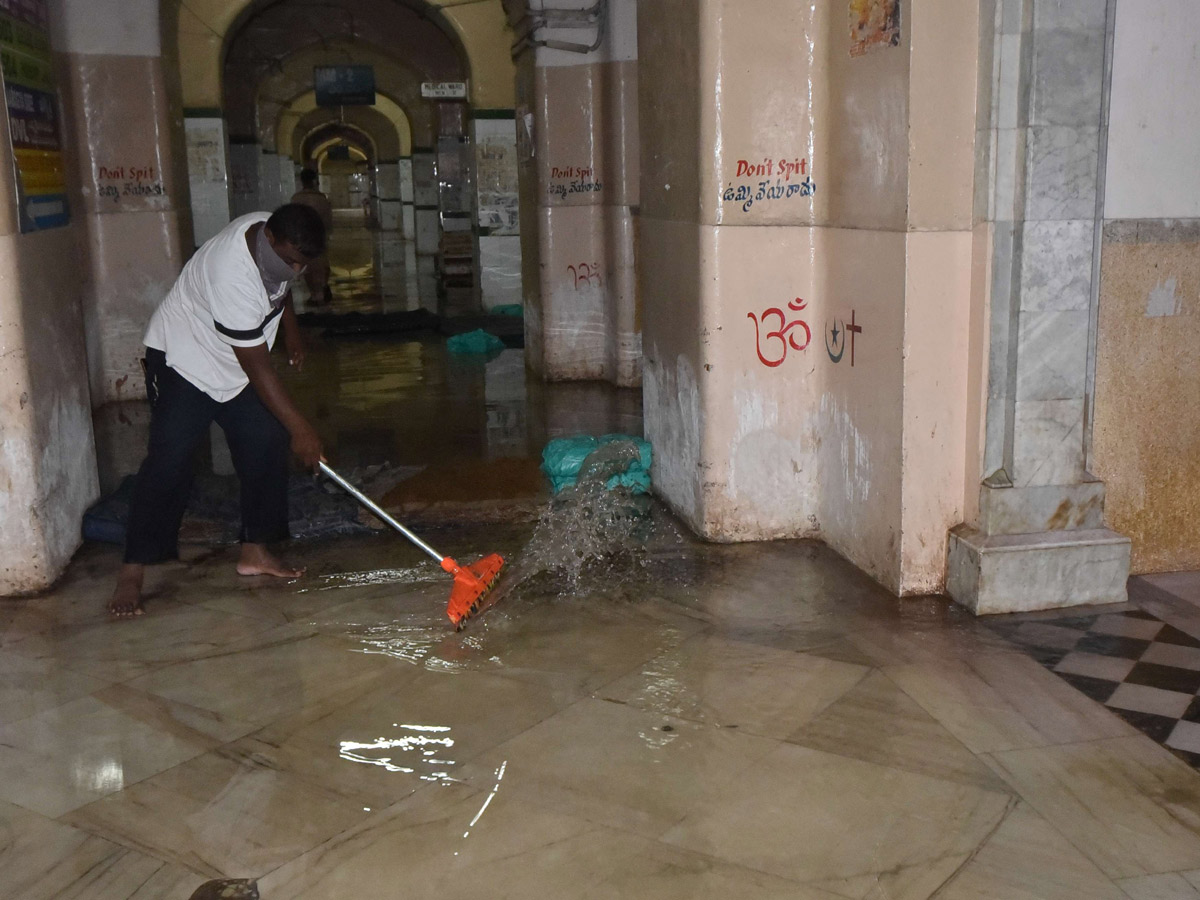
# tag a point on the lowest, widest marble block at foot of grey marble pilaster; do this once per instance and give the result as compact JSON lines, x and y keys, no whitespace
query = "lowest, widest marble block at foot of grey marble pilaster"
{"x":1047,"y":571}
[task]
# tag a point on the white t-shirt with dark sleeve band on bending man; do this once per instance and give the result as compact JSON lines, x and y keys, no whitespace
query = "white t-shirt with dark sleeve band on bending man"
{"x":218,"y":303}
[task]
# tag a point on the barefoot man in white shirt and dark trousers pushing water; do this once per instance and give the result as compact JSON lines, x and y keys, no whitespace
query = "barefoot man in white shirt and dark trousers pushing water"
{"x":208,"y":359}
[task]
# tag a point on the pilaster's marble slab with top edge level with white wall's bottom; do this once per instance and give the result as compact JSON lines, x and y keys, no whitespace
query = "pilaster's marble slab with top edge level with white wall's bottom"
{"x":1057,"y":265}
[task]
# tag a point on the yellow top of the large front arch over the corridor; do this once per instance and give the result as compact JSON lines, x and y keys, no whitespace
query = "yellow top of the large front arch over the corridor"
{"x":476,"y":31}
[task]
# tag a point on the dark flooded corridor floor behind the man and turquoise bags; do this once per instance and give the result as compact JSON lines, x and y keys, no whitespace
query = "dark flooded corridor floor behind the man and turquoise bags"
{"x":406,"y":400}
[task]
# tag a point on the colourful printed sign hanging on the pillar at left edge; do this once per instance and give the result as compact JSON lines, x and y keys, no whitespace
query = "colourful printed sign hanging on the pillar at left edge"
{"x":34,"y":125}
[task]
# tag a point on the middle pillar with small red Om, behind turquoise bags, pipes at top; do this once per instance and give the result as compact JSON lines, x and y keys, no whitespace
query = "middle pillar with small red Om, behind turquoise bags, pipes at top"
{"x":578,"y":140}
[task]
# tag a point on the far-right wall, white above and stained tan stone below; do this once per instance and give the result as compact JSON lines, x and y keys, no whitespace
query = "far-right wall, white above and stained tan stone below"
{"x":1147,"y":435}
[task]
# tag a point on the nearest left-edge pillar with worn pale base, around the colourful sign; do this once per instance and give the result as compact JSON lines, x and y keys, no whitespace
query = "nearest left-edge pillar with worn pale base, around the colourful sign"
{"x":47,"y":452}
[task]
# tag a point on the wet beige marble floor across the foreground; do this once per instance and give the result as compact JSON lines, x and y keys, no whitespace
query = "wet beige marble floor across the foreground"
{"x":683,"y":722}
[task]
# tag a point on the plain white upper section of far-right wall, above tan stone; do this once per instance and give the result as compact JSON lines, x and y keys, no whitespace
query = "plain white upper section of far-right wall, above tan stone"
{"x":1154,"y":166}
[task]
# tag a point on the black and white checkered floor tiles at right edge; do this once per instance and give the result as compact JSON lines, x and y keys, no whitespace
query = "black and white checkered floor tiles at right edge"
{"x":1143,"y":669}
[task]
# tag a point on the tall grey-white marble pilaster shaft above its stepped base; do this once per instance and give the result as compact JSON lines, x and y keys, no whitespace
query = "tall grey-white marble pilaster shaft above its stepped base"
{"x":1043,"y":173}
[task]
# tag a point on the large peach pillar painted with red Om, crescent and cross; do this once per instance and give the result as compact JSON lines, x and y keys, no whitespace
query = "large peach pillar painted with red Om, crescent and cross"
{"x":807,"y":275}
